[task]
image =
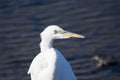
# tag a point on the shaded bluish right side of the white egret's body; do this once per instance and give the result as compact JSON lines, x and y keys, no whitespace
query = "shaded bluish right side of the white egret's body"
{"x":63,"y":70}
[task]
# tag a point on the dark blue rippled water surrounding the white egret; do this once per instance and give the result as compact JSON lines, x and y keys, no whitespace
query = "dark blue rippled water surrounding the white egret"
{"x":21,"y":21}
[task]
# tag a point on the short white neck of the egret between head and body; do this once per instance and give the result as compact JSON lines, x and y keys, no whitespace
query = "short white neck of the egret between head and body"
{"x":46,"y":44}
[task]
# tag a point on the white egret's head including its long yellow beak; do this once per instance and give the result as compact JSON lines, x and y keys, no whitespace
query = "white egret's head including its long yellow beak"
{"x":55,"y":32}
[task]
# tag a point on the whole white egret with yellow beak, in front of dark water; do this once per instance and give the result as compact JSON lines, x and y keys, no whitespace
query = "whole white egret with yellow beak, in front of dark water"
{"x":50,"y":64}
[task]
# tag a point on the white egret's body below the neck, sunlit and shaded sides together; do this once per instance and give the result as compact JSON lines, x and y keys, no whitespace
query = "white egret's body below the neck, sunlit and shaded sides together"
{"x":50,"y":65}
